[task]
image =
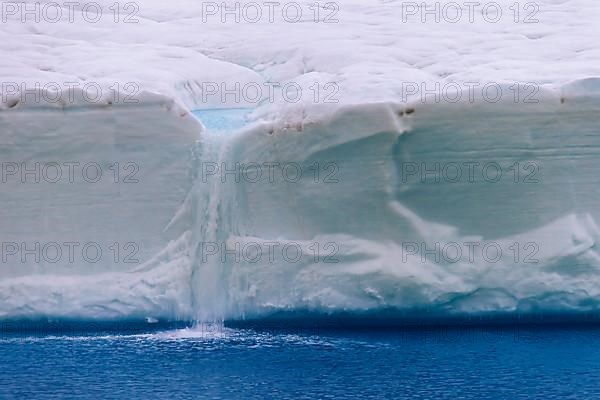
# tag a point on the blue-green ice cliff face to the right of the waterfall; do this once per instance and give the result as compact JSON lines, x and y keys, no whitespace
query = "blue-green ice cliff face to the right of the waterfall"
{"x":530,"y":193}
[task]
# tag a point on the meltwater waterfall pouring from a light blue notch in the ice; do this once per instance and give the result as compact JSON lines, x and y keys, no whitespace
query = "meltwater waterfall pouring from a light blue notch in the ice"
{"x":214,"y":211}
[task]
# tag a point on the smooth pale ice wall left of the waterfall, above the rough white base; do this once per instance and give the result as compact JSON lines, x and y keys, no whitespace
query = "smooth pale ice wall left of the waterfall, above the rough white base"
{"x":93,"y":173}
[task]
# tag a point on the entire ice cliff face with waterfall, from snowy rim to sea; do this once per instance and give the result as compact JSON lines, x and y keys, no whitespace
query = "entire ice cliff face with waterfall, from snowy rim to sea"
{"x":377,"y":214}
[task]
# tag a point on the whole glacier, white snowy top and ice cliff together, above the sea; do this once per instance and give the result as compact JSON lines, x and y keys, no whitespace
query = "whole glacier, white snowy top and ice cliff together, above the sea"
{"x":173,"y":52}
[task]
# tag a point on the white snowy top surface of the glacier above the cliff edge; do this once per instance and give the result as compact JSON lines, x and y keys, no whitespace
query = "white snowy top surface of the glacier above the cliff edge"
{"x":367,"y":51}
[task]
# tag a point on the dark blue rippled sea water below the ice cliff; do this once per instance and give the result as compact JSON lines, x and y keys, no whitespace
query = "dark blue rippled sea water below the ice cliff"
{"x":453,"y":363}
